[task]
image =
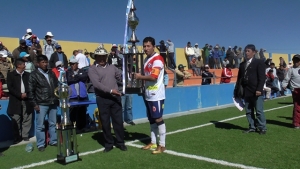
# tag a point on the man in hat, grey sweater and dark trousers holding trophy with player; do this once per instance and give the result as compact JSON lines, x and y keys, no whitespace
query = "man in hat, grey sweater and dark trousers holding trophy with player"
{"x":104,"y":78}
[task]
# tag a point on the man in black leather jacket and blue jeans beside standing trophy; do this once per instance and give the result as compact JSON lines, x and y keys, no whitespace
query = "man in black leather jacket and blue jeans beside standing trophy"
{"x":42,"y":83}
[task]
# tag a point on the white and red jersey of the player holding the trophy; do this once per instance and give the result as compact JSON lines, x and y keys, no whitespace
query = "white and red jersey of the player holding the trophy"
{"x":154,"y":66}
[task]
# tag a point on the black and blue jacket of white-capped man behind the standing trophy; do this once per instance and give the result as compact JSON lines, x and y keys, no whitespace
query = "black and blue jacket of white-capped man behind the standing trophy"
{"x":79,"y":78}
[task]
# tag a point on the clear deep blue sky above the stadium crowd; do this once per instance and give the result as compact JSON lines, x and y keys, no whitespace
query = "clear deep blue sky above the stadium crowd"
{"x":270,"y":24}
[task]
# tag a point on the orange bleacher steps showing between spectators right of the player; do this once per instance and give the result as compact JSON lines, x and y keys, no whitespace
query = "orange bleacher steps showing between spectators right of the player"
{"x":196,"y":80}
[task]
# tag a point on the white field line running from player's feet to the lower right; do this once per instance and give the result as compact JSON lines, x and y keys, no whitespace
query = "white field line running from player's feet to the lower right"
{"x":201,"y":158}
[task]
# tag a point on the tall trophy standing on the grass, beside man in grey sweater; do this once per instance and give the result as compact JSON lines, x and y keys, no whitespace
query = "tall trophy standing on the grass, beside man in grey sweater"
{"x":66,"y":131}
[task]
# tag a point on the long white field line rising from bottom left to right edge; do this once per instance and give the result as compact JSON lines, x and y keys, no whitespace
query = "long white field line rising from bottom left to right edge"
{"x":134,"y":141}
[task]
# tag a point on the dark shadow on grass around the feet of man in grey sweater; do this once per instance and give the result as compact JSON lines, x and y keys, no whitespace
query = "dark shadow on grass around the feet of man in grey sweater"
{"x":128,"y":136}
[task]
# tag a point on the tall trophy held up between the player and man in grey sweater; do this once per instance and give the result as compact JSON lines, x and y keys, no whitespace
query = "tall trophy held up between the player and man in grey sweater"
{"x":133,"y":61}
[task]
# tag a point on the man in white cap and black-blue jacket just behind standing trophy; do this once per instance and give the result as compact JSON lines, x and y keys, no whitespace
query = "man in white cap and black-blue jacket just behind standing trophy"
{"x":76,"y":79}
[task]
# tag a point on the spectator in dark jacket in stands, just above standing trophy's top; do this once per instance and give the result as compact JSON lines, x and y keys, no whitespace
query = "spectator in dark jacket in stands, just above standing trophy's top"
{"x":59,"y":55}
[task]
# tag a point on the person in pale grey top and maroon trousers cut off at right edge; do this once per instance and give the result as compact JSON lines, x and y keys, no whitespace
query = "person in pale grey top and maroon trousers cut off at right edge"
{"x":292,"y":78}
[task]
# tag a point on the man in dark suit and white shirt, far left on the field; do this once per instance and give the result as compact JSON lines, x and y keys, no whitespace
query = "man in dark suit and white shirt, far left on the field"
{"x":19,"y":108}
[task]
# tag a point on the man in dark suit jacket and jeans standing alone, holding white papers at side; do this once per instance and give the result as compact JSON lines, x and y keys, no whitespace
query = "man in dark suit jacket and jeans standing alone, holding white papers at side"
{"x":249,"y":86}
